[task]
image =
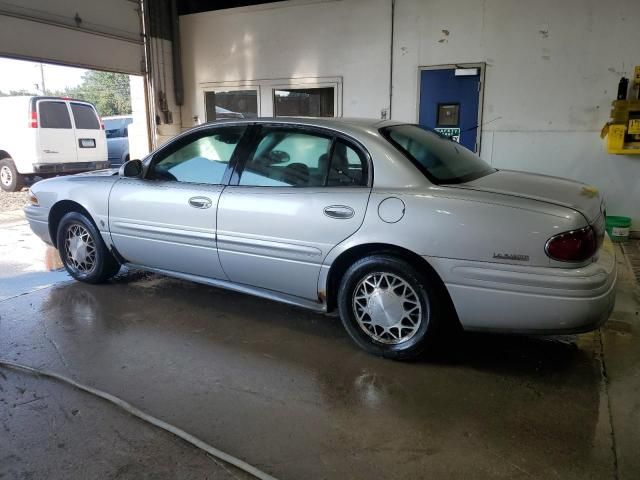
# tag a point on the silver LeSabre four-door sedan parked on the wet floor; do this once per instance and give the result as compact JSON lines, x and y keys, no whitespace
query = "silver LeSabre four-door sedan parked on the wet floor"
{"x":398,"y":228}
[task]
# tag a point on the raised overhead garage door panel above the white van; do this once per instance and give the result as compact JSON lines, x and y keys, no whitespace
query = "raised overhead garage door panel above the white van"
{"x":96,"y":34}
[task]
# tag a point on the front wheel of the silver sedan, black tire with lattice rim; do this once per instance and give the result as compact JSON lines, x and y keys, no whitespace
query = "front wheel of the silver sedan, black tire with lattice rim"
{"x":99,"y":264}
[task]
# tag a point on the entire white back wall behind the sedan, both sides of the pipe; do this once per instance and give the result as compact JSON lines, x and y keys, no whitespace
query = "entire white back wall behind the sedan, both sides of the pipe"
{"x":552,"y":69}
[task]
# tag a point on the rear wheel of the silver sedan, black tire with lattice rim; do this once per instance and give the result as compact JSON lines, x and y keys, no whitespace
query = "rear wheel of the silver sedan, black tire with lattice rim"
{"x":413,"y":341}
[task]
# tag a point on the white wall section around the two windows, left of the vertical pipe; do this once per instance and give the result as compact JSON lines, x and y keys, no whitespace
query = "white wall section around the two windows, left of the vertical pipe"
{"x":348,"y":39}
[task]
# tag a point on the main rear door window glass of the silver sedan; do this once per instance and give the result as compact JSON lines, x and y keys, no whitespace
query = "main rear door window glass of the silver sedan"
{"x":288,"y":158}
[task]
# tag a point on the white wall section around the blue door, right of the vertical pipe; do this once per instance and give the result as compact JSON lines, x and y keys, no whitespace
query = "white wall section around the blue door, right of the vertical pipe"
{"x":552,"y":73}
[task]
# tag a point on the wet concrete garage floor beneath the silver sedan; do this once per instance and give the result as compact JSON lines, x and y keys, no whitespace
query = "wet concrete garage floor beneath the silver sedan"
{"x":285,"y":389}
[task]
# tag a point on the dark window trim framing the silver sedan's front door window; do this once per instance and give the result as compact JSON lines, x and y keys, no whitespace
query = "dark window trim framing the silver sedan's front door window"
{"x":190,"y":137}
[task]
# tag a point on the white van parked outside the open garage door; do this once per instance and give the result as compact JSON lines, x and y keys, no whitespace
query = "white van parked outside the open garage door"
{"x":48,"y":136}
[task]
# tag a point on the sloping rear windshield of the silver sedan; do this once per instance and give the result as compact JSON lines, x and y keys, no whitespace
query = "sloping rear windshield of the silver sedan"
{"x":442,"y":160}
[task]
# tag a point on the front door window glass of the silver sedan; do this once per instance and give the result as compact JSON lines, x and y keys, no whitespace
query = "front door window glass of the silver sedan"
{"x":203,"y":160}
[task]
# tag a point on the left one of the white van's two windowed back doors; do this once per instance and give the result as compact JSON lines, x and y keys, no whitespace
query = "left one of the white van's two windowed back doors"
{"x":56,"y":139}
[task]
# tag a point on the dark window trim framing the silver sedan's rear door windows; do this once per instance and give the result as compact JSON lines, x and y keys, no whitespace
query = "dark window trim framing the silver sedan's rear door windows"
{"x":251,"y":145}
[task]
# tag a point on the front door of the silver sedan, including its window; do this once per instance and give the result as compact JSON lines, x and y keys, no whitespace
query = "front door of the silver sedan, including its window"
{"x":167,"y":219}
